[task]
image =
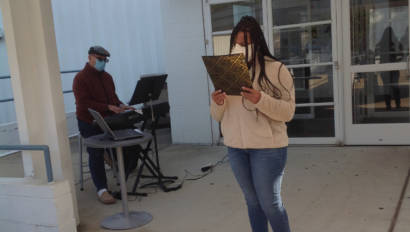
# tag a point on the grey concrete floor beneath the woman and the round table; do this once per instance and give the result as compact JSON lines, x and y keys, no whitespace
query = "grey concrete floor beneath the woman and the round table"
{"x":328,"y":189}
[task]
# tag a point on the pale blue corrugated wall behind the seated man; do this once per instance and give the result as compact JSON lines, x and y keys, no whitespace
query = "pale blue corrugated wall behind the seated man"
{"x":130,"y":29}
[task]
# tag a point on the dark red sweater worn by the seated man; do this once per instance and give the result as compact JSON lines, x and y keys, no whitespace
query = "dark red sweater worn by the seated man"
{"x":94,"y":89}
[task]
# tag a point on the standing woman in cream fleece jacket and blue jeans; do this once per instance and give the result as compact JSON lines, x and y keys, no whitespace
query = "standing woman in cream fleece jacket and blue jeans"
{"x":254,"y":127}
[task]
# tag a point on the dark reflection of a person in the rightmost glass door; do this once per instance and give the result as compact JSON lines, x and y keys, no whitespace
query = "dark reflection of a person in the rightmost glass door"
{"x":388,"y":50}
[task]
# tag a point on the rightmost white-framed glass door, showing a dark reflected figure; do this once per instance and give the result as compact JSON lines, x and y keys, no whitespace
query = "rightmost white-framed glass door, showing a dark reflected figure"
{"x":376,"y":41}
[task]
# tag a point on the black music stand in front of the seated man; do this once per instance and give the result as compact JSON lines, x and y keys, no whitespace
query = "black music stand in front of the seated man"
{"x":148,"y":89}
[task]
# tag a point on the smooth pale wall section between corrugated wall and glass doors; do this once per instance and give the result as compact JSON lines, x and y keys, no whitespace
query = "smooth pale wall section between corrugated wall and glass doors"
{"x":187,"y":81}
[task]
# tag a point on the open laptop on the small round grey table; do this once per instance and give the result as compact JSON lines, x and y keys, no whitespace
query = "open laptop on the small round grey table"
{"x":116,"y":135}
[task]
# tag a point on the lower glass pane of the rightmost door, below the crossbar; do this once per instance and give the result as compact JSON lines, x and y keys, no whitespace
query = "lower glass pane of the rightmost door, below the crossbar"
{"x":381,"y":97}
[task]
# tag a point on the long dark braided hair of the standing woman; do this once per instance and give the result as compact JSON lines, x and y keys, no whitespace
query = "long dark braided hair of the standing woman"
{"x":260,"y":50}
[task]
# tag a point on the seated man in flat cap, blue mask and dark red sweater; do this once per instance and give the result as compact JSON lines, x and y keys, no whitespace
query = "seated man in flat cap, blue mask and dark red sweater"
{"x":94,"y":88}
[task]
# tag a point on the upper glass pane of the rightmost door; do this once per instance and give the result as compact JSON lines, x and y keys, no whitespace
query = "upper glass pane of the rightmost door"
{"x":378,"y":34}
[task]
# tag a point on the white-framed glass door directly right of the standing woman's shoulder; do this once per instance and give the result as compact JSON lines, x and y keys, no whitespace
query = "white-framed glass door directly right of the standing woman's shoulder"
{"x":304,"y":38}
